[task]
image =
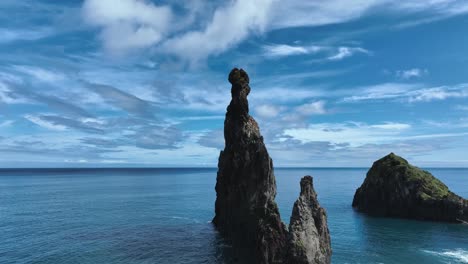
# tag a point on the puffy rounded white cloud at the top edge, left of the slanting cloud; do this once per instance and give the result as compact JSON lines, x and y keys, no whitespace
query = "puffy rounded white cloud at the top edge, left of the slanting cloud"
{"x":128,"y":24}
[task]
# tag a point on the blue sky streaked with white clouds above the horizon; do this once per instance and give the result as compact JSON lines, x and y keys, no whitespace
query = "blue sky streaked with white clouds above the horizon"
{"x":144,"y":83}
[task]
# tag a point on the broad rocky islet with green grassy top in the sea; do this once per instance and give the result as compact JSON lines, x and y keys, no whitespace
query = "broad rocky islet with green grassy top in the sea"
{"x":395,"y":188}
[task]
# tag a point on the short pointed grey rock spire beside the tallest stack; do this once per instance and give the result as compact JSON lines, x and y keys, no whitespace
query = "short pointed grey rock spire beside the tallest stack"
{"x":309,"y":236}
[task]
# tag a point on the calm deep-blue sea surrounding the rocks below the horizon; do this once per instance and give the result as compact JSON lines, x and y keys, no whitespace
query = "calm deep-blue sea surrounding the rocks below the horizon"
{"x":163,"y":216}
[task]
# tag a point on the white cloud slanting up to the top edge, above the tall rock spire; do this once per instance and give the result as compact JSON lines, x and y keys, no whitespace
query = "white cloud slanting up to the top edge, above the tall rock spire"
{"x":230,"y":25}
